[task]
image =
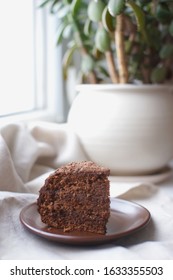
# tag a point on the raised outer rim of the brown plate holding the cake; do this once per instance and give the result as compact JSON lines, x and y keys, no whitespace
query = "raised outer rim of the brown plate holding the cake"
{"x":84,"y":239}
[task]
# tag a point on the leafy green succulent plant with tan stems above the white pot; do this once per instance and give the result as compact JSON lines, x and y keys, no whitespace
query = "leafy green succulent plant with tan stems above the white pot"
{"x":118,"y":40}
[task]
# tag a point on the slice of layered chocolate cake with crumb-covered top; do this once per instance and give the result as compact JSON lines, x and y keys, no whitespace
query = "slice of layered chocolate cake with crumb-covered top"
{"x":76,"y":197}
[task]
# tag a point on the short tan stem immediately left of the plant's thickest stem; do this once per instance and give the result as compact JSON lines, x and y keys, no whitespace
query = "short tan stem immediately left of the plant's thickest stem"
{"x":111,"y":67}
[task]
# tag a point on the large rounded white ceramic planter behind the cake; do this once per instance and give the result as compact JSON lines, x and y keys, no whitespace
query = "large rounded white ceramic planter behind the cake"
{"x":128,"y":128}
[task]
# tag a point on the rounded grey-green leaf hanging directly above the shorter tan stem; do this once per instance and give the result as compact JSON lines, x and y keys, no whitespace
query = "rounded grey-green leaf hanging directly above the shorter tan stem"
{"x":102,"y":40}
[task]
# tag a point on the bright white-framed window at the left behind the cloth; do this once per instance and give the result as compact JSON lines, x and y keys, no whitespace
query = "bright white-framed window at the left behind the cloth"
{"x":30,"y":64}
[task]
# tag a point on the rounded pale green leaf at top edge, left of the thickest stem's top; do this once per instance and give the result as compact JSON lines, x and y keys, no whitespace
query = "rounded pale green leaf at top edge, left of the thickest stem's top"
{"x":95,"y":10}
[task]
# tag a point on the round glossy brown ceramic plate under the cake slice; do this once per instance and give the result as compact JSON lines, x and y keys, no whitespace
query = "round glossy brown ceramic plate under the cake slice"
{"x":126,"y":217}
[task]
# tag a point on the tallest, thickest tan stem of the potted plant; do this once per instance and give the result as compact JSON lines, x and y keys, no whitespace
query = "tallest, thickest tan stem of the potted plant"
{"x":120,"y":49}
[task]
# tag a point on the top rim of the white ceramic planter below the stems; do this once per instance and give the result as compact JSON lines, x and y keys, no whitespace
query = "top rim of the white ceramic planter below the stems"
{"x":112,"y":87}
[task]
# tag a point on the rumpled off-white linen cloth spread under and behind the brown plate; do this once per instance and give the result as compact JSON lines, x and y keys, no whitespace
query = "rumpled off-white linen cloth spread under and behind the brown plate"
{"x":28,"y":153}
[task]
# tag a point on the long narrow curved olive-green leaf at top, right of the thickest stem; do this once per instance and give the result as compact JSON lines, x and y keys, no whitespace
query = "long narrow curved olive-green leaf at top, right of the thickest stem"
{"x":139,"y":14}
